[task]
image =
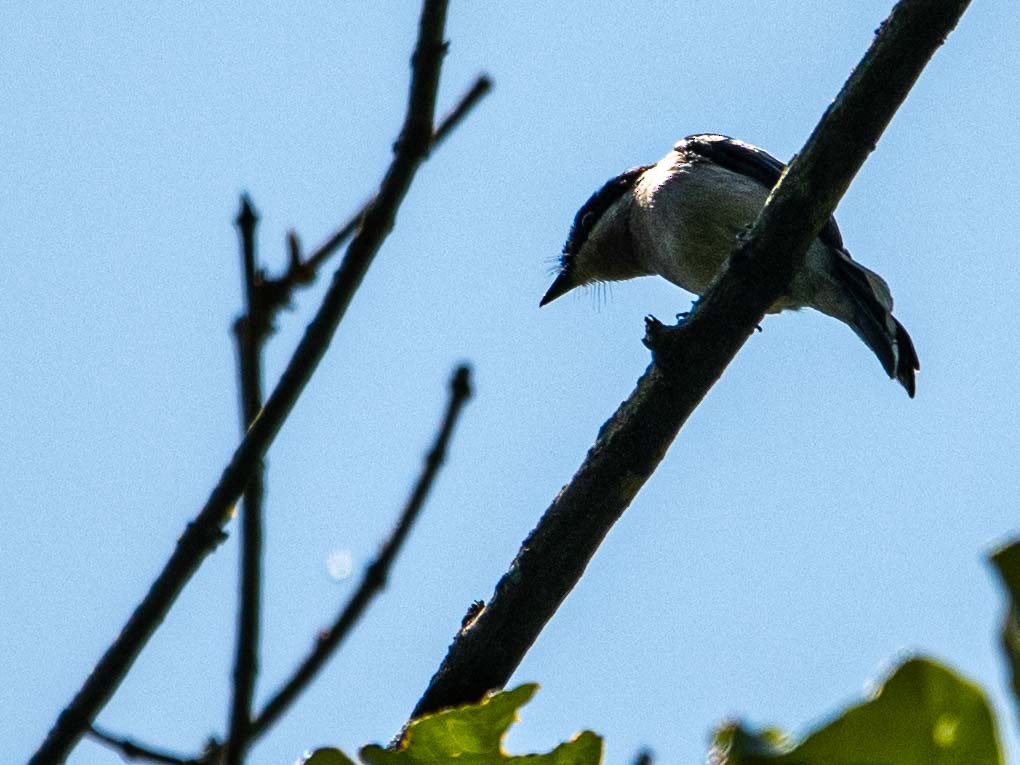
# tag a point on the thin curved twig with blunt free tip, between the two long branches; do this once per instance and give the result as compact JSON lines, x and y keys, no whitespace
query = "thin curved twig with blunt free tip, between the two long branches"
{"x":376,"y":575}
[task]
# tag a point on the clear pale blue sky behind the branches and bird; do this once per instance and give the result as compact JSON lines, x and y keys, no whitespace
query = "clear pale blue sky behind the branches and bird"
{"x":810,"y":526}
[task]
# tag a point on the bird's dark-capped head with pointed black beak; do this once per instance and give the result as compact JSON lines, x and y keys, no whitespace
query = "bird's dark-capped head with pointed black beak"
{"x":599,"y":247}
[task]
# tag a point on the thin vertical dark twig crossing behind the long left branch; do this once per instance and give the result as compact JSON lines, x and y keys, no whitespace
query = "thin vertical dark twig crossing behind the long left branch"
{"x":251,"y":330}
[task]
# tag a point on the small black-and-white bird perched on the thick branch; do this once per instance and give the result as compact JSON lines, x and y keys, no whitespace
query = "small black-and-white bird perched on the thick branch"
{"x":680,"y":219}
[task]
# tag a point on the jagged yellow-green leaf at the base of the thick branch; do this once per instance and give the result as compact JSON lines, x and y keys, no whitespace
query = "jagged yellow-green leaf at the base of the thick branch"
{"x":474,"y":736}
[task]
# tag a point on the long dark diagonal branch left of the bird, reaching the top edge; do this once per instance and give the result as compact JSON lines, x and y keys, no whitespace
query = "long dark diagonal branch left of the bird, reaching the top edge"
{"x":206,"y":532}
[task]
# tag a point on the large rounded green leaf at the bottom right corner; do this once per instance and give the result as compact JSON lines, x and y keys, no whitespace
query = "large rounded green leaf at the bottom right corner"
{"x":925,"y":715}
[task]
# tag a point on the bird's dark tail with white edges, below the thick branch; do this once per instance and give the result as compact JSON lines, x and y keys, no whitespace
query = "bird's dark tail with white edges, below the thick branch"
{"x":872,"y":318}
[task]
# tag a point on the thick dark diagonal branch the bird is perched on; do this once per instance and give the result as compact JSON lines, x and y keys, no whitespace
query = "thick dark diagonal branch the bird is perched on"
{"x":690,"y":359}
